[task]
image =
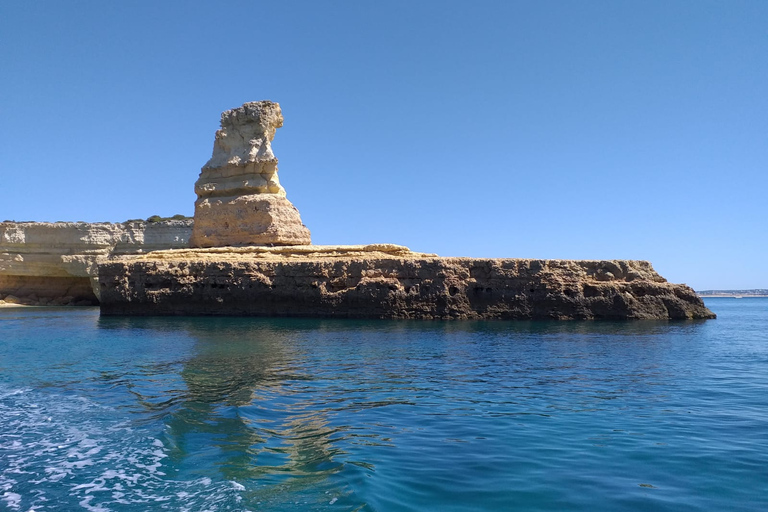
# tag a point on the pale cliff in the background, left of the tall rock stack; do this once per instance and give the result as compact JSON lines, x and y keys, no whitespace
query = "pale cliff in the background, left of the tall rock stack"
{"x":56,"y":263}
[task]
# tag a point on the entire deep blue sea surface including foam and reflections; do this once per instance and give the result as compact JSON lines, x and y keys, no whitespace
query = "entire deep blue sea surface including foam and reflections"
{"x":220,"y":414}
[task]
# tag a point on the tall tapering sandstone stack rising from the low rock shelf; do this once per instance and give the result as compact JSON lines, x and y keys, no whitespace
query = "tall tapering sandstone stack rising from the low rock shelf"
{"x":239,"y":198}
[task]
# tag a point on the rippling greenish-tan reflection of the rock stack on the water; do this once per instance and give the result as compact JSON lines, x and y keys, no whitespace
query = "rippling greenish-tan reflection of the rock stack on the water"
{"x":234,"y":370}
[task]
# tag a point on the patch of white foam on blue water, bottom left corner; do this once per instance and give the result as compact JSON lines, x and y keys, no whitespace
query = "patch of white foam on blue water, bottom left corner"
{"x":92,"y":454}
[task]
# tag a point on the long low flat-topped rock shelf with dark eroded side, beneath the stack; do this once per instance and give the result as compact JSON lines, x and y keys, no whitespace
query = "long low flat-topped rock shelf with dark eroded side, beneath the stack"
{"x":385,"y":283}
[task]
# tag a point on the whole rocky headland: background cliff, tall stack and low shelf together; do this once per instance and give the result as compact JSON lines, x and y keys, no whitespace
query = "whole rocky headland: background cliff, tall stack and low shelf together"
{"x":248,"y":253}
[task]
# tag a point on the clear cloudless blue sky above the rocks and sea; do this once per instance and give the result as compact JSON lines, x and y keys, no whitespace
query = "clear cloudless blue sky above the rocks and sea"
{"x":554,"y":129}
